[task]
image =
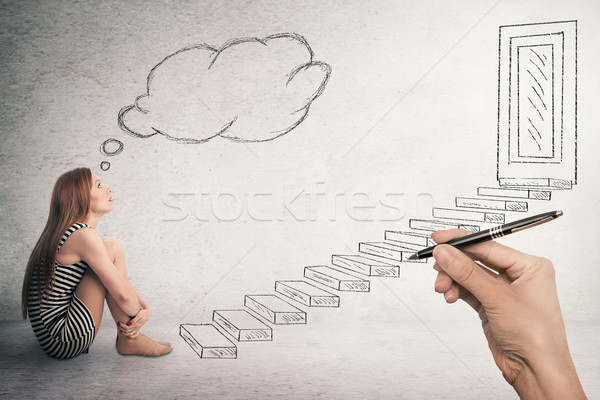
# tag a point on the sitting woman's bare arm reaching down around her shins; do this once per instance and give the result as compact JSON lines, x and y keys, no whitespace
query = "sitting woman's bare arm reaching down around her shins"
{"x":89,"y":247}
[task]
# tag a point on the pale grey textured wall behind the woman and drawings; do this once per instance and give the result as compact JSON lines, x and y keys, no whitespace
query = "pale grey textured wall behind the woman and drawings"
{"x":408,"y":119}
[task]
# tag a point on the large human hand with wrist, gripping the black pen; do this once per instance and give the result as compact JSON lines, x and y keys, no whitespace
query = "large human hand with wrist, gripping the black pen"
{"x":517,"y":302}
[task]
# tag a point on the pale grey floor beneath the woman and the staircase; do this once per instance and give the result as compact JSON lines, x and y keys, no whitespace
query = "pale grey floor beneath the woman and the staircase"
{"x":408,"y":360}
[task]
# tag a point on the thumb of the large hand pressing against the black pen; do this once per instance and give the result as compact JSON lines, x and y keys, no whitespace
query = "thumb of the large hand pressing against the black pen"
{"x":465,"y":272}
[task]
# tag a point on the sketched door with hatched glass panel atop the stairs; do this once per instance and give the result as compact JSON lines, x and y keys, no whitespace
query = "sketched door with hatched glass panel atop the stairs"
{"x":537,"y":122}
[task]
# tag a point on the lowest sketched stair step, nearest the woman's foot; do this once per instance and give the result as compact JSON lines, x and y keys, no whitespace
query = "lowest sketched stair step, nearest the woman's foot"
{"x":207,"y":341}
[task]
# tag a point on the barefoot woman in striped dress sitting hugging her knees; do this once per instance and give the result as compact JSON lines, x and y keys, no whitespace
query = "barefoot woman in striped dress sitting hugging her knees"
{"x":71,"y":271}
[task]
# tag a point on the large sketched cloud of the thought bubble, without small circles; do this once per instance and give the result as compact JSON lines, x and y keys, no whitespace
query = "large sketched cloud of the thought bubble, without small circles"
{"x":248,"y":90}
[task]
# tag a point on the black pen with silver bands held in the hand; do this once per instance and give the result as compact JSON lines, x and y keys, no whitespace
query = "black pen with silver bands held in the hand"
{"x":492,"y":233}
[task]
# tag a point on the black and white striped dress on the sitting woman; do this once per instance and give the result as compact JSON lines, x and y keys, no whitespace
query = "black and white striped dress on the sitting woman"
{"x":62,"y":323}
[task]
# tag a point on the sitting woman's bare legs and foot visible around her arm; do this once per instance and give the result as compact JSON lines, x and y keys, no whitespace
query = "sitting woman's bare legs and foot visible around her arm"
{"x":92,"y":293}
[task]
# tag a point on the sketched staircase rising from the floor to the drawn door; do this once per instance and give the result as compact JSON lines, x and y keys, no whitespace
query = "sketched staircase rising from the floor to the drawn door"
{"x":350,"y":273}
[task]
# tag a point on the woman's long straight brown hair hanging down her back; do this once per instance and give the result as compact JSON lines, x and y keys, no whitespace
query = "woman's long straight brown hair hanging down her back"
{"x":70,"y":203}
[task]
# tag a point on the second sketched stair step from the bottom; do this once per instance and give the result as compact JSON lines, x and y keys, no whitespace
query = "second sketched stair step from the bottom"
{"x":242,"y":325}
